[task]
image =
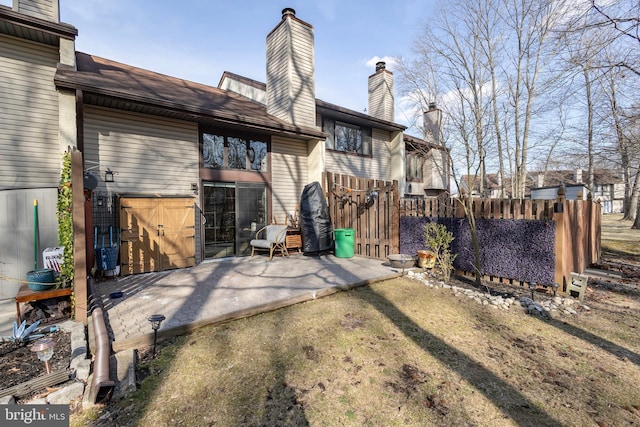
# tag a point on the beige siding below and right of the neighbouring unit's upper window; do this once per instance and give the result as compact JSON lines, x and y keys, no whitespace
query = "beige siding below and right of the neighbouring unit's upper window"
{"x":378,"y":166}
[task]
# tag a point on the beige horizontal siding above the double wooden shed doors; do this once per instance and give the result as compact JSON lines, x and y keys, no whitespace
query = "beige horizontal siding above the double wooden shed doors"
{"x":150,"y":154}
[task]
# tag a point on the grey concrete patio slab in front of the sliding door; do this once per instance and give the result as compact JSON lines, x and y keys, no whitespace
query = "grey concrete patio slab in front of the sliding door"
{"x":222,"y":290}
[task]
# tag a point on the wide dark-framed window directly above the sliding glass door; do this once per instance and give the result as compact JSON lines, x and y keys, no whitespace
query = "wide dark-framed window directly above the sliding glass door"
{"x":230,"y":152}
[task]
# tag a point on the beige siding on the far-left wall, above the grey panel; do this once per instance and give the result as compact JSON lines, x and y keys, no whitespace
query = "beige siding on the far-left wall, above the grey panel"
{"x":28,"y":114}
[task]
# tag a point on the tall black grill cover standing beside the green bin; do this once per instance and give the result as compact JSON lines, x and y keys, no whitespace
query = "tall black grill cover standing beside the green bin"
{"x":315,"y":225}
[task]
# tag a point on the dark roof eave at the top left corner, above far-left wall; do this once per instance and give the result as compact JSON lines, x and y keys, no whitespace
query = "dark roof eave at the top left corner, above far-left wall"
{"x":32,"y":28}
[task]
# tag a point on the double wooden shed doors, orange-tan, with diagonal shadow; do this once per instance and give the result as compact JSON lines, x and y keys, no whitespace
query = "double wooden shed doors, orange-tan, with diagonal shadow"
{"x":156,"y":234}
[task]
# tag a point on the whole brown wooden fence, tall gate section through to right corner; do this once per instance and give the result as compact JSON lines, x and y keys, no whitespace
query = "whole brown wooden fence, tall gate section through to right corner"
{"x":372,"y":208}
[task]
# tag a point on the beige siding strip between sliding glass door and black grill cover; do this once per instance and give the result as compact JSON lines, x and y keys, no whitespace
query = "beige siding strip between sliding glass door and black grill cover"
{"x":290,"y":175}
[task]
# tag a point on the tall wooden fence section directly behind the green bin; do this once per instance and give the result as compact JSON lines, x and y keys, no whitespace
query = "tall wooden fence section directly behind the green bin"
{"x":370,"y":208}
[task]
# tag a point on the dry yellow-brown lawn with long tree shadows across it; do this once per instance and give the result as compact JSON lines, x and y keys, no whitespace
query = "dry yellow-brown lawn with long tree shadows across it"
{"x":399,"y":353}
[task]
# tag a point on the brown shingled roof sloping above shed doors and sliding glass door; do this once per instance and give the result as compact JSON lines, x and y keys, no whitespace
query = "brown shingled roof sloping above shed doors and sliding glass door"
{"x":122,"y":86}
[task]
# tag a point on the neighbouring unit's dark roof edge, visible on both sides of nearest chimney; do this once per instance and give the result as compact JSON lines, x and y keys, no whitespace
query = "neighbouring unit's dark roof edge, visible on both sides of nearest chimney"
{"x":325,"y":108}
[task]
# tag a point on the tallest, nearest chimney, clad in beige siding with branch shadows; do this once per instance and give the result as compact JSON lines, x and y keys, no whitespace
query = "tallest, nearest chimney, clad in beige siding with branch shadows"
{"x":290,"y":71}
